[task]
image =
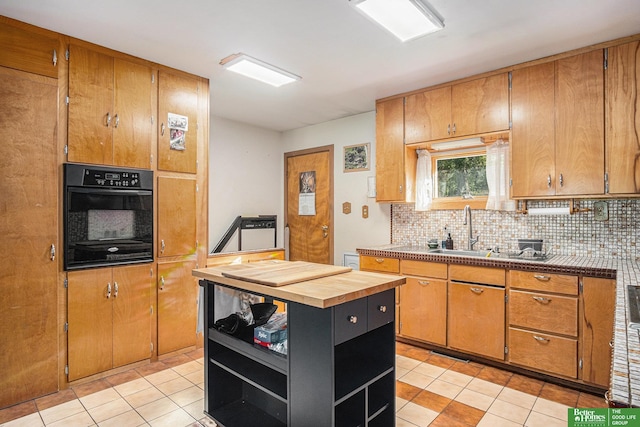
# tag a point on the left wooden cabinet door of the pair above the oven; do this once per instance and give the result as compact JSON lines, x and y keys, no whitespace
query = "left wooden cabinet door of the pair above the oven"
{"x":91,"y":115}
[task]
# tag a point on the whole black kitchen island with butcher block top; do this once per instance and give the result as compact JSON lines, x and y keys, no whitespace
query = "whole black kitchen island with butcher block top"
{"x":339,"y":366}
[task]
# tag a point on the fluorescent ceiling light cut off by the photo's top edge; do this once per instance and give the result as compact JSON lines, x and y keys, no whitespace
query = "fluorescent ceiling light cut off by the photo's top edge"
{"x":405,"y":19}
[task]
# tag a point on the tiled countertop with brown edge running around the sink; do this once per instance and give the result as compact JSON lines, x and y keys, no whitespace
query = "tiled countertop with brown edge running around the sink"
{"x":625,"y":379}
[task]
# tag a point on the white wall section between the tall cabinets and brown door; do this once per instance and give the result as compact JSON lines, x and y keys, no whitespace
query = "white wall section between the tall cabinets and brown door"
{"x":245,"y":178}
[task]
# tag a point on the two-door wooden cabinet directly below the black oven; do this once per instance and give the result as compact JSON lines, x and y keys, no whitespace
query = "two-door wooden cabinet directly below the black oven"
{"x":109,"y":318}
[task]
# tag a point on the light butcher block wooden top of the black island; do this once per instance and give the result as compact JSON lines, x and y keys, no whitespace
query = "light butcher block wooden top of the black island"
{"x":317,"y":285}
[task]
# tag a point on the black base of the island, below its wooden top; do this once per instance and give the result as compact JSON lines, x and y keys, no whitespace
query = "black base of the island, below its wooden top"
{"x":328,"y":377}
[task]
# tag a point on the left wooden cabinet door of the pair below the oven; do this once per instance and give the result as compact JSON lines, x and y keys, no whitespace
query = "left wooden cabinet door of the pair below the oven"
{"x":89,"y":310}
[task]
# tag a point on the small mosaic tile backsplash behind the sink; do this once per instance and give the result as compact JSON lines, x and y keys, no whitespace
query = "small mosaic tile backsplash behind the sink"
{"x":578,"y":234}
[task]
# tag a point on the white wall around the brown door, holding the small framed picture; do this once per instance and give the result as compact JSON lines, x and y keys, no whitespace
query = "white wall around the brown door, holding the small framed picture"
{"x":351,"y":231}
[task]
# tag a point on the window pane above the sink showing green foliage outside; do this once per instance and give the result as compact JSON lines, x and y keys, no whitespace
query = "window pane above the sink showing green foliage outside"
{"x":464,"y":177}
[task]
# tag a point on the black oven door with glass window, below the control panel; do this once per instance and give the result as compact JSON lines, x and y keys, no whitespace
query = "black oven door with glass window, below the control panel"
{"x":107,"y":227}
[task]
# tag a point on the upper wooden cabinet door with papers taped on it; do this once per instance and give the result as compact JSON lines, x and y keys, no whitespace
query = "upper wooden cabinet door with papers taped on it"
{"x":177,"y":94}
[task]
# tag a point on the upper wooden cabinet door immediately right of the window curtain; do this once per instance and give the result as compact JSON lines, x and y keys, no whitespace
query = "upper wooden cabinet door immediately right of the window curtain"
{"x":533,"y":134}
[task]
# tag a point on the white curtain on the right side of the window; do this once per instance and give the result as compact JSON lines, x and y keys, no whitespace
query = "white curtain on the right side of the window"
{"x":498,"y":177}
